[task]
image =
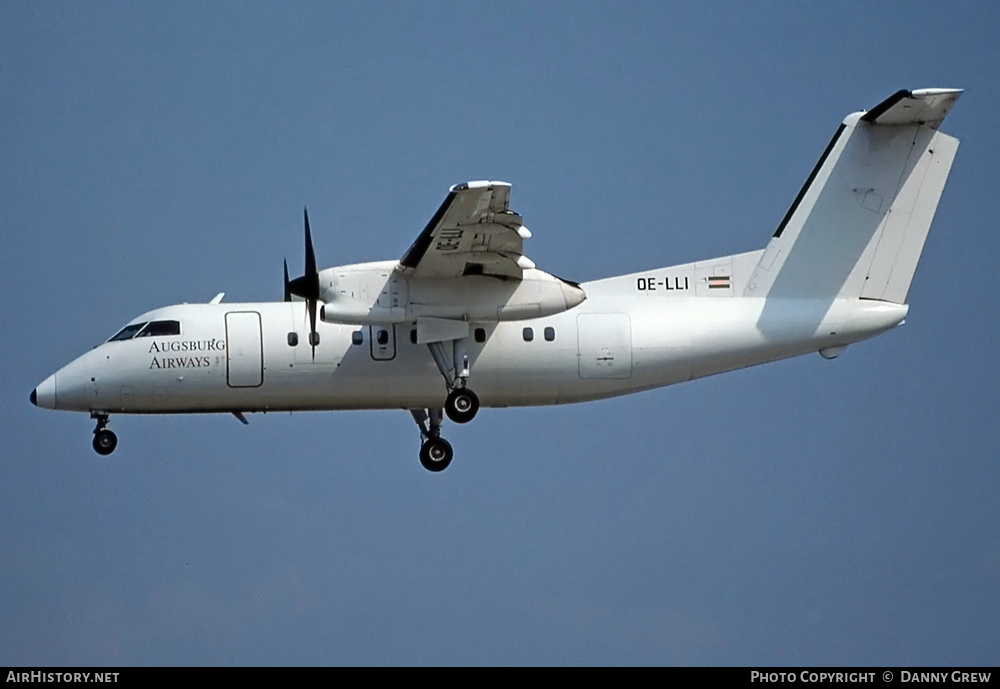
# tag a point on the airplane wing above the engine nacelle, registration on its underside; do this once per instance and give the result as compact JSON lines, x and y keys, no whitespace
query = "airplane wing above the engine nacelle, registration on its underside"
{"x":474,"y":232}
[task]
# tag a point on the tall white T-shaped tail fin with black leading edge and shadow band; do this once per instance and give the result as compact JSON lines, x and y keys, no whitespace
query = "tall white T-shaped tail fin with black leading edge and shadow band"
{"x":858,"y":225}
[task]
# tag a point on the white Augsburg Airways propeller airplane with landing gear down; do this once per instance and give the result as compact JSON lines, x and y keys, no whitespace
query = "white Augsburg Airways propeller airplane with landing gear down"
{"x":465,"y":320}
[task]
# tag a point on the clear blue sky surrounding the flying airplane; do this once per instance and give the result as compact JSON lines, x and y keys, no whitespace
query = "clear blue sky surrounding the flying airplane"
{"x":804,"y":512}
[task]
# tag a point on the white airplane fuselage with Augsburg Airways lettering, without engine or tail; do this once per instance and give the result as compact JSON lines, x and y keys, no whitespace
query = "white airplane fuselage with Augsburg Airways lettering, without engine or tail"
{"x":237,"y":357}
